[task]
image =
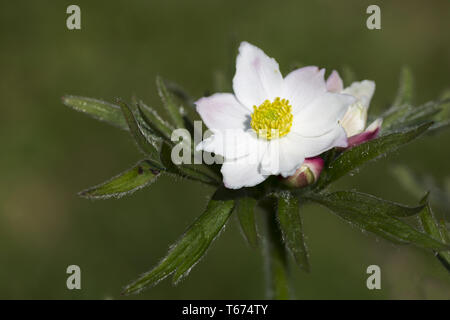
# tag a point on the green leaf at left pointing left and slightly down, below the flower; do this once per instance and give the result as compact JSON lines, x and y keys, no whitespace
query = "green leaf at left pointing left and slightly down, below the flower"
{"x":141,"y":175}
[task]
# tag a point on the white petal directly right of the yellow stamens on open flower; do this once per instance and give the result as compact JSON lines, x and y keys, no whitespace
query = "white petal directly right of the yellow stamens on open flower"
{"x":322,"y":115}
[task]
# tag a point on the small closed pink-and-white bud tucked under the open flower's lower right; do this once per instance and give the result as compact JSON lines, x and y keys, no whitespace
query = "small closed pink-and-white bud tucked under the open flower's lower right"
{"x":307,"y":174}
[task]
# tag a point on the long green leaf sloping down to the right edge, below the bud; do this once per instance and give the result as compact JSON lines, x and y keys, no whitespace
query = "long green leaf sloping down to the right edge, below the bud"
{"x":372,"y":219}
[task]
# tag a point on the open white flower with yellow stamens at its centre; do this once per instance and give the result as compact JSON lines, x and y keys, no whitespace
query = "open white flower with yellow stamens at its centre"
{"x":271,"y":124}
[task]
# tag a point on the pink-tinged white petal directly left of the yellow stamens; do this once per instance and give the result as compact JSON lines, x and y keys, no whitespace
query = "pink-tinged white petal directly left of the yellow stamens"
{"x":222,"y":111}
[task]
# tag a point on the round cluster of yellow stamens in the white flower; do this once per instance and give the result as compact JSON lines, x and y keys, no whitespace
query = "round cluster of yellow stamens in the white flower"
{"x":272,"y":119}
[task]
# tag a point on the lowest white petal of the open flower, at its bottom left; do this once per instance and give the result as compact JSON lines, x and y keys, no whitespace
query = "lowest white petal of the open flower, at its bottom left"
{"x":242,"y":172}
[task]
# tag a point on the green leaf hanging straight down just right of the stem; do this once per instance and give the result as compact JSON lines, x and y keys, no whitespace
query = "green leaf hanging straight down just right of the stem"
{"x":292,"y":229}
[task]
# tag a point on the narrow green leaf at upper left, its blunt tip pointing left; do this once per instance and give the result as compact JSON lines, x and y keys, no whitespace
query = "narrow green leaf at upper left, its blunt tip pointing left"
{"x":97,"y":109}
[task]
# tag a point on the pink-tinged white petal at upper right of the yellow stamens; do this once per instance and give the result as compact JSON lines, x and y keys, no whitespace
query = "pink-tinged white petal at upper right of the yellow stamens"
{"x":303,"y":86}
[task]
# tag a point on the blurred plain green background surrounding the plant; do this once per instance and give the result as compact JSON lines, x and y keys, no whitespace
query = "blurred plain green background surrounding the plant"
{"x":49,"y":152}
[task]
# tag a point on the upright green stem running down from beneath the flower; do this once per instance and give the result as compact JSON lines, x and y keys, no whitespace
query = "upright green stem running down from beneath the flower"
{"x":275,"y":257}
